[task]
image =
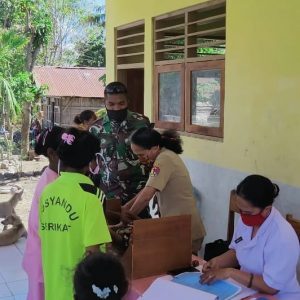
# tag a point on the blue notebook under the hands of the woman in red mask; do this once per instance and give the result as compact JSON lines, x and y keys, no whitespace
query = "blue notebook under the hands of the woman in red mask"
{"x":222,"y":289}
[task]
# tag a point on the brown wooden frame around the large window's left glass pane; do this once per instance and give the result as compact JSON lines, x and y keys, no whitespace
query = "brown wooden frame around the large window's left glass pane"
{"x":165,"y":69}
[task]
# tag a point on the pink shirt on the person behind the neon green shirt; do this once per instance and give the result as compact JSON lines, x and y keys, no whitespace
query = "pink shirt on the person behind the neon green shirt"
{"x":32,"y":261}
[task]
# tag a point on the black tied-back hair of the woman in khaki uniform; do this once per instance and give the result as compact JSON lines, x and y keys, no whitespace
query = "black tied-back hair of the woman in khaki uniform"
{"x":148,"y":137}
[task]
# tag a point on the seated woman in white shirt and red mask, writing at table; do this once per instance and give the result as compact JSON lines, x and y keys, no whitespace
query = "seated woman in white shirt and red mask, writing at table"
{"x":264,"y":244}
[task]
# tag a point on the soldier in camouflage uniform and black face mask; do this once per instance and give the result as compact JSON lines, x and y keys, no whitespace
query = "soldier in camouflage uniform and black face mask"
{"x":120,"y":174}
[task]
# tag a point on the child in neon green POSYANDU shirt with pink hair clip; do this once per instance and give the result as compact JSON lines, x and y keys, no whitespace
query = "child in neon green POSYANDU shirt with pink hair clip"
{"x":72,"y":223}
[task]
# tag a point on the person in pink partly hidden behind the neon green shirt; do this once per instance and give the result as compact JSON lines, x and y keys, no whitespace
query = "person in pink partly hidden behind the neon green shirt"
{"x":46,"y":144}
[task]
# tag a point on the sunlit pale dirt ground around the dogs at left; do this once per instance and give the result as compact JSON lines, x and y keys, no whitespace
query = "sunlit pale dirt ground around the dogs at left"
{"x":28,"y":183}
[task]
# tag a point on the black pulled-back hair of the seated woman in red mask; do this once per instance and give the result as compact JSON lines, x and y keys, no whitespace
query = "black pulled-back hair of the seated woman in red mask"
{"x":258,"y":190}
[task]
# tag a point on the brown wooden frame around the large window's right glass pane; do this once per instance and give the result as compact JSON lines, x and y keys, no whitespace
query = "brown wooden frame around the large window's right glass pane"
{"x":202,"y":66}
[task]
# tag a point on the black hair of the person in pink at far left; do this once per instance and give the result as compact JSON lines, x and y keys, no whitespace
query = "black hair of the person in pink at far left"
{"x":48,"y":138}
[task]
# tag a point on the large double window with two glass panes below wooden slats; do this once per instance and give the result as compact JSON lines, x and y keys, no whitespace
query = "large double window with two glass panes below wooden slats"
{"x":189,"y":52}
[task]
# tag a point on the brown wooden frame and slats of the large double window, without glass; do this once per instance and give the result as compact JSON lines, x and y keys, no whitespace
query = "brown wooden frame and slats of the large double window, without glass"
{"x":209,"y":18}
